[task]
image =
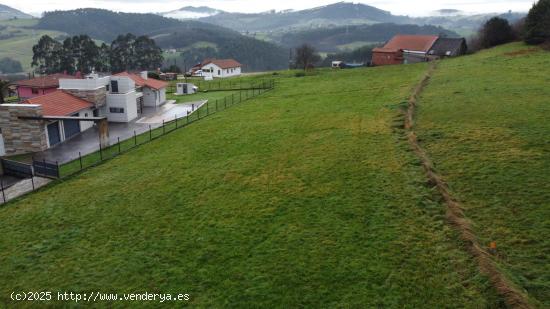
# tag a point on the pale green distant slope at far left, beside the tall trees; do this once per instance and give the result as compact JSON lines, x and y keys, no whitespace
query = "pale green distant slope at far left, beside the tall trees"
{"x":20,"y":47}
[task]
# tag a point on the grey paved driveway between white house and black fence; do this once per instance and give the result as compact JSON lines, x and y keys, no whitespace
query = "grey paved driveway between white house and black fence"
{"x":88,"y":141}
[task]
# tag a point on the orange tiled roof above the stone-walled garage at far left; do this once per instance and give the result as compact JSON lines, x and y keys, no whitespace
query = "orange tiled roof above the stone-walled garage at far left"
{"x":59,"y":103}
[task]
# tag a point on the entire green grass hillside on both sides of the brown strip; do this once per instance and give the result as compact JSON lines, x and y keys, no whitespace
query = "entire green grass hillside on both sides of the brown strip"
{"x":309,"y":196}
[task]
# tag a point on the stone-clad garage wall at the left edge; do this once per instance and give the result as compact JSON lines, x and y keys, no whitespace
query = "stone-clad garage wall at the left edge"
{"x":22,"y":135}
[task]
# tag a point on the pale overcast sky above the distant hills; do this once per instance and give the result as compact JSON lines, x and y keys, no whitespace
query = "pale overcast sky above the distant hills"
{"x":398,"y":7}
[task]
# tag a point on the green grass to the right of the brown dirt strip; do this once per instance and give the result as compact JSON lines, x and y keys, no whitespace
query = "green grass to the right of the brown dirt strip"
{"x":485,"y":121}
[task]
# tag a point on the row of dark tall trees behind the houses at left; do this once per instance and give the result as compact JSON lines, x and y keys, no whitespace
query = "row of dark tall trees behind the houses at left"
{"x":81,"y":54}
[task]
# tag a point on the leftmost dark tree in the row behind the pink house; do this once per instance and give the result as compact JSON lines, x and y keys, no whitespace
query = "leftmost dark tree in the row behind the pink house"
{"x":47,"y":55}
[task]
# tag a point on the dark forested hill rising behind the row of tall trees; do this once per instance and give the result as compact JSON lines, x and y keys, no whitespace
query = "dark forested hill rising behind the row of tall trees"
{"x":171,"y":33}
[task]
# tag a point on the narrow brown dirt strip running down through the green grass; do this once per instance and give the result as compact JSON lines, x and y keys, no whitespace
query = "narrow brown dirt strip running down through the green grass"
{"x":455,"y":214}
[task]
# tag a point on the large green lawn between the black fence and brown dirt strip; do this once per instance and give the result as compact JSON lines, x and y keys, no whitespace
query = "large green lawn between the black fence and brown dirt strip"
{"x":303,"y":197}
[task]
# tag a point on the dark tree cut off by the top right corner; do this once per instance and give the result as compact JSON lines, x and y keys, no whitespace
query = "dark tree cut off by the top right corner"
{"x":537,"y":23}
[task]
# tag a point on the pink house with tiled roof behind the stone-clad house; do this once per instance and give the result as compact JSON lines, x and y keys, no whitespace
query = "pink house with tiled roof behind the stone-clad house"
{"x":30,"y":88}
